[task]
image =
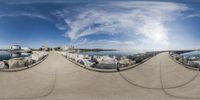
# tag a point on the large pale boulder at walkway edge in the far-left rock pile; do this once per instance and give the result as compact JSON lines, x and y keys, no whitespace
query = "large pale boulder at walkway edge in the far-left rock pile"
{"x":16,"y":63}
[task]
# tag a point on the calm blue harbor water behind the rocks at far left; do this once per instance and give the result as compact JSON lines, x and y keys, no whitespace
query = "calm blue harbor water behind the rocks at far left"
{"x":5,"y":55}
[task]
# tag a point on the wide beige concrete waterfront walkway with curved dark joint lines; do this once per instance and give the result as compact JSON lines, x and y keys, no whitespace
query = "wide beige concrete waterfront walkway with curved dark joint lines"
{"x":56,"y":78}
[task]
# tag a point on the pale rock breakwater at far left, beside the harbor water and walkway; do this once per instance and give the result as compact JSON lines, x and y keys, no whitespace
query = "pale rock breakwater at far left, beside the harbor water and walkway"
{"x":26,"y":62}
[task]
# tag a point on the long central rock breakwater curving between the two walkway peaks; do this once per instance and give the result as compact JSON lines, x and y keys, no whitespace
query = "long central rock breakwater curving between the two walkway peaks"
{"x":106,"y":62}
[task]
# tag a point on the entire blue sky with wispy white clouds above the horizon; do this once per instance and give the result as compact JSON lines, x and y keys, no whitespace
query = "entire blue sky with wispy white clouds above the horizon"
{"x":124,"y":25}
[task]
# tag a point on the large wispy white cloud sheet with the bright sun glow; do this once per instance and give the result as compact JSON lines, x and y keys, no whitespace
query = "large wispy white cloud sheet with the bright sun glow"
{"x":147,"y":19}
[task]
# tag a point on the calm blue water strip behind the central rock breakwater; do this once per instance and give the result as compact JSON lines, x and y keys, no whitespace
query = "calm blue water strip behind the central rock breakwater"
{"x":109,"y":53}
